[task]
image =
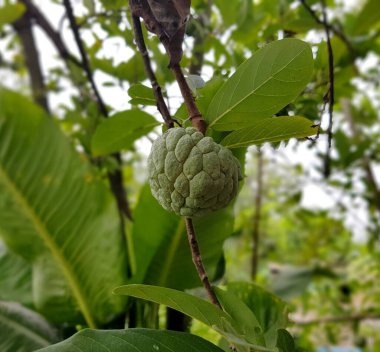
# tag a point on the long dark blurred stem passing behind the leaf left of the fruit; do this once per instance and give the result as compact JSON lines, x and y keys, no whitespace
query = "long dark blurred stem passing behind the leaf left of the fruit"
{"x":116,"y":177}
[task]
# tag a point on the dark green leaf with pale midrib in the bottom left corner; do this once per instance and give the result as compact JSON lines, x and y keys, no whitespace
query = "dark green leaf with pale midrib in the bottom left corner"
{"x":23,"y":330}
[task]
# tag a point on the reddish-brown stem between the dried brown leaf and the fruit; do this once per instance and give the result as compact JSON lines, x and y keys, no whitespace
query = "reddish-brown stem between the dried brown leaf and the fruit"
{"x":195,"y":116}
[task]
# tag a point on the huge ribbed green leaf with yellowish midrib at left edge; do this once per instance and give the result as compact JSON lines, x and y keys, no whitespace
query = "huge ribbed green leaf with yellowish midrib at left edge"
{"x":52,"y":205}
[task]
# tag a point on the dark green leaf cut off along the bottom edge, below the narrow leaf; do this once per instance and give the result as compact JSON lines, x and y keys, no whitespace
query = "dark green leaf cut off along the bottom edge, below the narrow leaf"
{"x":134,"y":340}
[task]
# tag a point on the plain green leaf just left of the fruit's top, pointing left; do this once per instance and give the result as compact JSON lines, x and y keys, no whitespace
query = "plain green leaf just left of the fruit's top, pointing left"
{"x":121,"y":130}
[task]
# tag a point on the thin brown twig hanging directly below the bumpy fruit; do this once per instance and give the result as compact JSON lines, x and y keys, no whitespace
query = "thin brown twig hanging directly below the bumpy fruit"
{"x":197,"y":260}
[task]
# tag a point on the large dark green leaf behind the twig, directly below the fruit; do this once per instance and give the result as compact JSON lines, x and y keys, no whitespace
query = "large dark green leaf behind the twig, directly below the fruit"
{"x":161,"y":250}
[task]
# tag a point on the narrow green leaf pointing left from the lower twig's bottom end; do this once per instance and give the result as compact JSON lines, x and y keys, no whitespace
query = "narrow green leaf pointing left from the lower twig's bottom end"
{"x":192,"y":306}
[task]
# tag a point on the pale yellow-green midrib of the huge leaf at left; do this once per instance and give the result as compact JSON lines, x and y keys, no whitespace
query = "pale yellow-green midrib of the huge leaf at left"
{"x":43,"y":232}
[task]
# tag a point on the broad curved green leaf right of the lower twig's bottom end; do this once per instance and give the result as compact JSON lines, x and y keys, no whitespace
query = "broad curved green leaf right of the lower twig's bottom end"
{"x":270,"y":311}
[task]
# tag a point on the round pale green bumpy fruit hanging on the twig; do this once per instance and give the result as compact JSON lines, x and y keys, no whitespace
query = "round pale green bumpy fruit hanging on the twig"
{"x":190,"y":174}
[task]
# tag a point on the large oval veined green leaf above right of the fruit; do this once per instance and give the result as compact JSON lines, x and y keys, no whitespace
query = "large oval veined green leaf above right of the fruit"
{"x":272,"y":78}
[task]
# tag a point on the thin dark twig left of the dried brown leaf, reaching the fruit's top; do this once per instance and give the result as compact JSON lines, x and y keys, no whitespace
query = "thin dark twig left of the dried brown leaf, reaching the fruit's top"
{"x":161,"y":105}
